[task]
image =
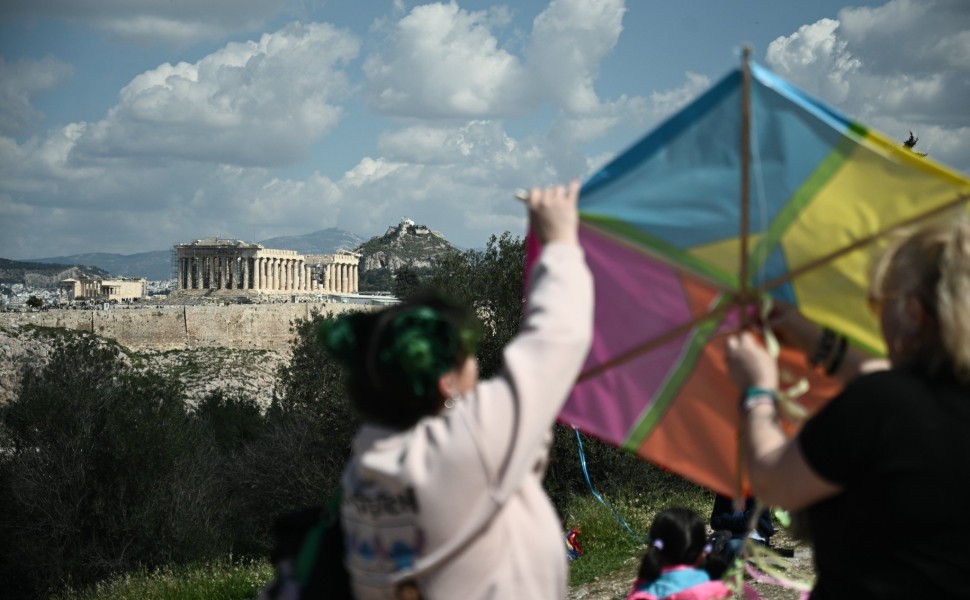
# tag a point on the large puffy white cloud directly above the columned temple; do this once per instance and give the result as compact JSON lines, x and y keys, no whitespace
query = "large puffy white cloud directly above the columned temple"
{"x":258,"y":103}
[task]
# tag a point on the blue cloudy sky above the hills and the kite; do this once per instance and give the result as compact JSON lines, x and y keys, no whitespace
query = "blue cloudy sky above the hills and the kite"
{"x":132,"y":125}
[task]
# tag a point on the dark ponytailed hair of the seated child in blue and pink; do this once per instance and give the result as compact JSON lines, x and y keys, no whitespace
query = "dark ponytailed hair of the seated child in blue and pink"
{"x":677,"y":537}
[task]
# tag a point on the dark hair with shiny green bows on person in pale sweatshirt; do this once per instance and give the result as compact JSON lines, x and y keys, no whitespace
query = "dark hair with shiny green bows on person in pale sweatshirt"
{"x":394,"y":357}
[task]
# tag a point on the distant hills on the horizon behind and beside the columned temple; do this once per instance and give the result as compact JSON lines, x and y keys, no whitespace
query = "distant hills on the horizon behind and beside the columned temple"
{"x":414,"y":243}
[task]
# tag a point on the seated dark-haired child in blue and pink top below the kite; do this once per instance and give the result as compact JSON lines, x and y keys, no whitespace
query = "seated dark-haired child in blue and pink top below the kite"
{"x":673,"y":565}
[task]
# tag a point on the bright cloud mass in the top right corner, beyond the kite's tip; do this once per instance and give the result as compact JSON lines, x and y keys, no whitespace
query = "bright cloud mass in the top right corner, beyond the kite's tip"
{"x":898,"y":67}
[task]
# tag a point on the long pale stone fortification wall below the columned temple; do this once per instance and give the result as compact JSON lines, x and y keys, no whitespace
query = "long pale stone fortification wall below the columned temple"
{"x":236,"y":326}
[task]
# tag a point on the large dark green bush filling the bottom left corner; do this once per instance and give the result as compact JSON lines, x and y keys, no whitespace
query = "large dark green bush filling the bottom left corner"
{"x":104,"y":470}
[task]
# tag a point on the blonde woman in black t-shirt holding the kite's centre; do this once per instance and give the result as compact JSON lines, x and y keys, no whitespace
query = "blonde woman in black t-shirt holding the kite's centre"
{"x":880,"y":471}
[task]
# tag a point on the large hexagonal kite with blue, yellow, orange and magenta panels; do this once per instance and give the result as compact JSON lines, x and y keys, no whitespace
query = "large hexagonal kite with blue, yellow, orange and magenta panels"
{"x":753,"y":190}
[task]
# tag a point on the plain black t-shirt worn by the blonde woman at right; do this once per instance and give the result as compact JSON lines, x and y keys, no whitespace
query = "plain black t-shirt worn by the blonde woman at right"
{"x":900,"y":446}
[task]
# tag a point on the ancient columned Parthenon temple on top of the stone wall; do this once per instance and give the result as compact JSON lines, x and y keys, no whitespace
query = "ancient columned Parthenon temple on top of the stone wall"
{"x":224,"y":264}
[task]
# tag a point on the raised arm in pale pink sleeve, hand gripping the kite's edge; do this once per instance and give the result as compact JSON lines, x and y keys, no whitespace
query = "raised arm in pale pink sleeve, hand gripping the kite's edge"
{"x":515,"y":410}
